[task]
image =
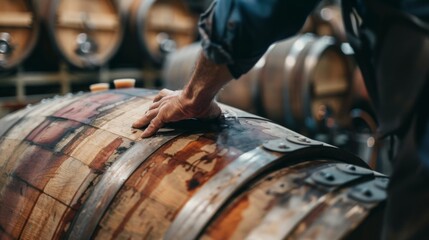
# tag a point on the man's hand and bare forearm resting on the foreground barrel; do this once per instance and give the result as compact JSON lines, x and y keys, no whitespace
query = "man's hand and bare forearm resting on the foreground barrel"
{"x":195,"y":101}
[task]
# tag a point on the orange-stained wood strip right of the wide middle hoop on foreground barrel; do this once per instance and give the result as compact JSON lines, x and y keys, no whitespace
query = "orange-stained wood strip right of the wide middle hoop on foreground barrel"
{"x":248,"y":210}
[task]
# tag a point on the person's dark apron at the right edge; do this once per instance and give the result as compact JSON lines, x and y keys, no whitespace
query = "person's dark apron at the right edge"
{"x":392,"y":49}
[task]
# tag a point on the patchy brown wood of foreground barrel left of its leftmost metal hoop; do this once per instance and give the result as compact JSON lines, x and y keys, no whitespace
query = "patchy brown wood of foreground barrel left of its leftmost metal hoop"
{"x":50,"y":149}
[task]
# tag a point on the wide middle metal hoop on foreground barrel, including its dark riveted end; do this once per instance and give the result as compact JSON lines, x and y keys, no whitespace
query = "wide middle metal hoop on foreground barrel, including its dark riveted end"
{"x":202,"y":207}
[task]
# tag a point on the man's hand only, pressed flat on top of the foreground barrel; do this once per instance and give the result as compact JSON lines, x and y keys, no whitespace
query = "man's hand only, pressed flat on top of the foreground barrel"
{"x":171,"y":106}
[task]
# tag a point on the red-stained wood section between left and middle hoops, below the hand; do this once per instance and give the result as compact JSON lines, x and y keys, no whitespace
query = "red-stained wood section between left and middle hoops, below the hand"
{"x":169,"y":178}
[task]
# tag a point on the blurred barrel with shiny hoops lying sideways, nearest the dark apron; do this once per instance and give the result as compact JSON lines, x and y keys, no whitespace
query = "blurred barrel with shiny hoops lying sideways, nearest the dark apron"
{"x":305,"y":81}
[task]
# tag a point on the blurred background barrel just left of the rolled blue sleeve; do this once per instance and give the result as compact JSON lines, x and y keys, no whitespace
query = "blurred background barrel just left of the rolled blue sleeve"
{"x":156,"y":28}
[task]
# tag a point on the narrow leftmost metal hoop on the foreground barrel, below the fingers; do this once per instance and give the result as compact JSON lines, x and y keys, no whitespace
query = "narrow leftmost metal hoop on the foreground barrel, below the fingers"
{"x":86,"y":221}
